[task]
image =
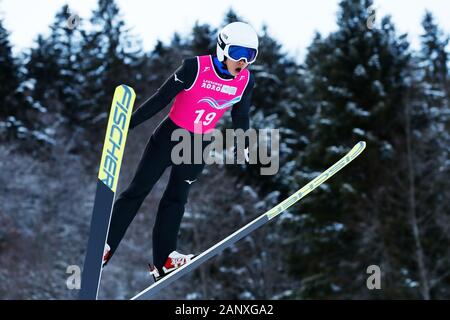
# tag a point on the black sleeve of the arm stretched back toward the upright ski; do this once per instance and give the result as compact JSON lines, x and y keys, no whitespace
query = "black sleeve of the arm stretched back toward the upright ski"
{"x":181,"y":79}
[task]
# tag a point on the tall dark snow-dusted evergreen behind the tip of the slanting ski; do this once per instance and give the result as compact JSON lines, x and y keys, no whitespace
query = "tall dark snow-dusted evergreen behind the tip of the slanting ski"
{"x":357,"y":89}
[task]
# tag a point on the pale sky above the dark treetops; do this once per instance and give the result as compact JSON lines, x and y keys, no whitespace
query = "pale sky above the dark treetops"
{"x":291,"y":22}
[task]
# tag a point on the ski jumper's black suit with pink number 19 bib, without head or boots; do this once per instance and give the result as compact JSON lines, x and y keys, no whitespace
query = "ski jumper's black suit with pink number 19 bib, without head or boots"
{"x":202,"y":95}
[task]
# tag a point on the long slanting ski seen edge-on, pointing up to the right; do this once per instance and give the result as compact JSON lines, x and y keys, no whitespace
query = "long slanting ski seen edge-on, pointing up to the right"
{"x":253,"y":225}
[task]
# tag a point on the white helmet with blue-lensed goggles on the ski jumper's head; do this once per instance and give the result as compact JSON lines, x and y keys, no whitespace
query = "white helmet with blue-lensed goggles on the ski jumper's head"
{"x":239,"y":36}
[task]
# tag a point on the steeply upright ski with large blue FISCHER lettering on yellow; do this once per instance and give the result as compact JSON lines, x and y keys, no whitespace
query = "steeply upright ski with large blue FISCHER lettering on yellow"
{"x":113,"y":149}
